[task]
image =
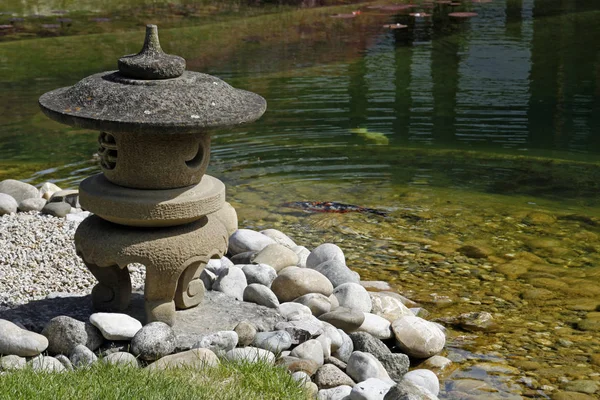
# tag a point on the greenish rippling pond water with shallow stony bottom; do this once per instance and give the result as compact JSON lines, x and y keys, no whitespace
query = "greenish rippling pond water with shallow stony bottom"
{"x":480,"y":138}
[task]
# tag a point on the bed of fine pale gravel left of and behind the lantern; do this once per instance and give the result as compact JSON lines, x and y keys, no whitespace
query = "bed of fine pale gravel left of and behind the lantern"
{"x":37,"y":259}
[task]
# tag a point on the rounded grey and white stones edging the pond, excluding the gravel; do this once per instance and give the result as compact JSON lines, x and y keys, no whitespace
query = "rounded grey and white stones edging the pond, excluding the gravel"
{"x":304,"y":310}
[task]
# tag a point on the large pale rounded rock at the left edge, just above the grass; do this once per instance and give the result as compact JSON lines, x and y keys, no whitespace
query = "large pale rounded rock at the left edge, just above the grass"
{"x":20,"y":342}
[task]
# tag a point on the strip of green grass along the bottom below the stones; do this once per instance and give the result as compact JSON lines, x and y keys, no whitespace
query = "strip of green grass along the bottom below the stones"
{"x":229,"y":380}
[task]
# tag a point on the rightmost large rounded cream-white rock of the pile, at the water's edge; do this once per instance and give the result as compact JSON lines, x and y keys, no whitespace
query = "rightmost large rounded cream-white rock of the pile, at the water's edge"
{"x":417,"y":337}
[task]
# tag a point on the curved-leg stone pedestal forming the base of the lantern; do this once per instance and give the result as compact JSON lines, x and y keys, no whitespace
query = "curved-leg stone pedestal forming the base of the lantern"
{"x":173,"y":256}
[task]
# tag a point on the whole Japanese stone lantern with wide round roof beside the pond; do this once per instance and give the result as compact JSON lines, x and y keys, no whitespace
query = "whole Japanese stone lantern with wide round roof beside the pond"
{"x":152,"y":203}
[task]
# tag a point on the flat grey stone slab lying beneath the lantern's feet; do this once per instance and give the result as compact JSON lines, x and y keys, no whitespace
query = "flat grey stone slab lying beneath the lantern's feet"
{"x":218,"y":312}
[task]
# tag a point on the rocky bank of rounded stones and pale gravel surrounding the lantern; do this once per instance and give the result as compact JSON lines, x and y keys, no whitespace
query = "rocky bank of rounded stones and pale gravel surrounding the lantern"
{"x":316,"y":318}
